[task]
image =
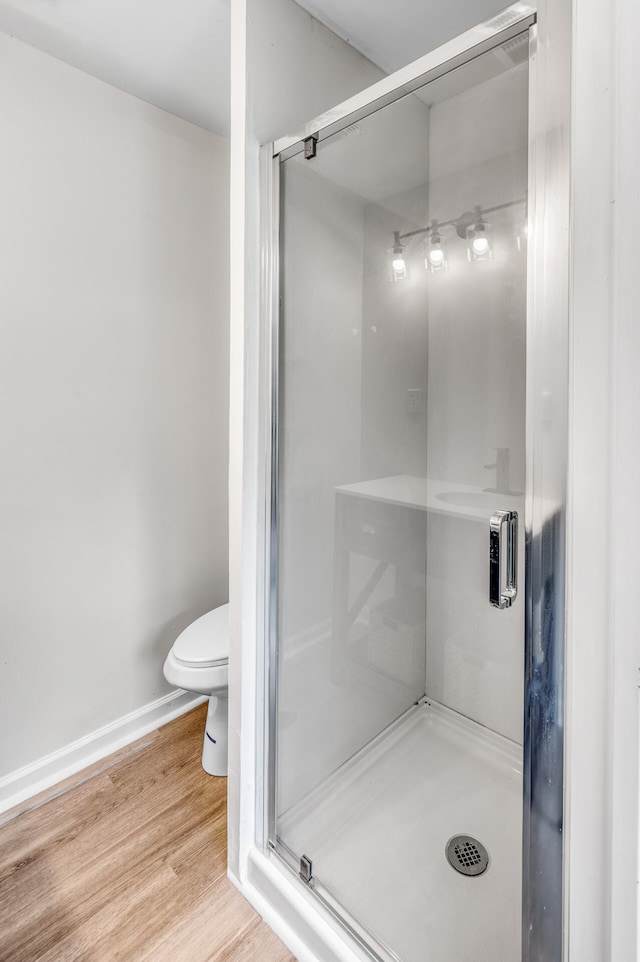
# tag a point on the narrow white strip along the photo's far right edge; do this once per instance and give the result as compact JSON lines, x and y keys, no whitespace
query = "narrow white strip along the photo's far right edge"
{"x":625,"y":504}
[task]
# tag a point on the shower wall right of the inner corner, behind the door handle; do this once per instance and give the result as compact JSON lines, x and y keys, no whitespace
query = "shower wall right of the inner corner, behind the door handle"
{"x":476,"y":396}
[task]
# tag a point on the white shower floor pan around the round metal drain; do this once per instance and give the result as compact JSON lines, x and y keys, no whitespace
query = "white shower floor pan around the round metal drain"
{"x":377,"y":833}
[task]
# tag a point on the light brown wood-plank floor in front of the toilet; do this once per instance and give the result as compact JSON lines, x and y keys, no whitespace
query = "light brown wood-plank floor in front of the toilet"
{"x":128,"y":862}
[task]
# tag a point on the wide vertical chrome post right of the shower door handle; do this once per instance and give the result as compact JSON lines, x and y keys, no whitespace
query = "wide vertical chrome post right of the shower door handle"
{"x":544,"y":890}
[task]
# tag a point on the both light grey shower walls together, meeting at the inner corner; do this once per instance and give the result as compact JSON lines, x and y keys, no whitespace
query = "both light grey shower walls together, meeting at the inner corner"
{"x":423,"y":378}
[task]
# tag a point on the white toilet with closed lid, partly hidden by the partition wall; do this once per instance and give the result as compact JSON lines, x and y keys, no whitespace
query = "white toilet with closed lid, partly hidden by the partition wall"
{"x":199,"y":662}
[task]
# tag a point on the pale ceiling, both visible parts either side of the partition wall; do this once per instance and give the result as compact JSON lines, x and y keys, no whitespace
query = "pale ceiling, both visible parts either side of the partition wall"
{"x":175,"y":53}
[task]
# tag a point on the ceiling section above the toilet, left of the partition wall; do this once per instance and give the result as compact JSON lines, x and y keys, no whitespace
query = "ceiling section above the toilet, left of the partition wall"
{"x":172,"y":53}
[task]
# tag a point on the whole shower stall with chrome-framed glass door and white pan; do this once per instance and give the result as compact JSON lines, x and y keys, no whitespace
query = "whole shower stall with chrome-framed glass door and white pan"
{"x":415,"y":713}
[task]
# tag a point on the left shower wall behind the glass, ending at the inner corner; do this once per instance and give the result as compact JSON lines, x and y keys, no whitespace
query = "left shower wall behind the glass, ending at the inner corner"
{"x":334,"y":697}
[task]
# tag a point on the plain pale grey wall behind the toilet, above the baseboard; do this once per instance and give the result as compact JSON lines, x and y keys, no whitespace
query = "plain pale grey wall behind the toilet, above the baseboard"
{"x":114,"y":381}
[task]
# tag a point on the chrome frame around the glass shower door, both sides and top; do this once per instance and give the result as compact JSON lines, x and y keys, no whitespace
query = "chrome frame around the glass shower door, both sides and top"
{"x":547,"y":324}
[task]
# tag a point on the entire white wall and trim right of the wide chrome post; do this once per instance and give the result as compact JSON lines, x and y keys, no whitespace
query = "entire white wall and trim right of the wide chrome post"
{"x":604,"y":576}
